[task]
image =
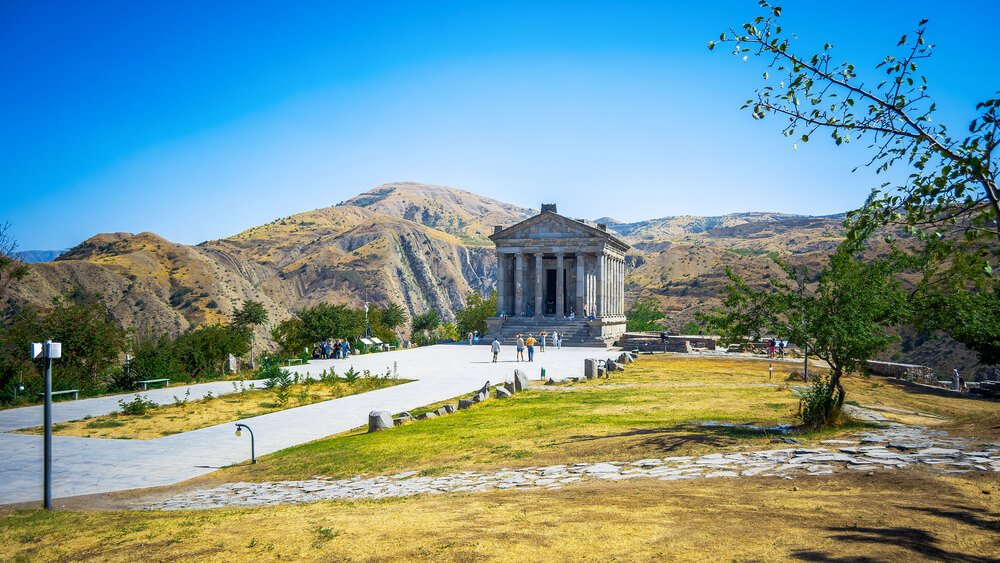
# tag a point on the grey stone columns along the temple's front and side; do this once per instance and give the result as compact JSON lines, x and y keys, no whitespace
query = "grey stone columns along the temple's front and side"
{"x":600,"y":289}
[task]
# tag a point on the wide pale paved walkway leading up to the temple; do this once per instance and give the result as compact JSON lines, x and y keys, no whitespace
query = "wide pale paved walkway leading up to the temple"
{"x":92,"y":465}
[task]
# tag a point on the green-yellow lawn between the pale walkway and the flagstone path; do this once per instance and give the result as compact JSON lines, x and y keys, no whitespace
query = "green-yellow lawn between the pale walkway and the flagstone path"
{"x":653,"y":409}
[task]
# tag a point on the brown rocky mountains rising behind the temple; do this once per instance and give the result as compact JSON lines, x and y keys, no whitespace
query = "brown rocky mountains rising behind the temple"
{"x":421,"y":246}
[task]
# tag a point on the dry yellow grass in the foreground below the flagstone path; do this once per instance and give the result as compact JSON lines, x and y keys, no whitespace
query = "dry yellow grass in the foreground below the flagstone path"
{"x":903,"y":516}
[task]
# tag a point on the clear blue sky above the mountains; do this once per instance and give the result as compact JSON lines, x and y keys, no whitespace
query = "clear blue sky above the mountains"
{"x":197,"y":120}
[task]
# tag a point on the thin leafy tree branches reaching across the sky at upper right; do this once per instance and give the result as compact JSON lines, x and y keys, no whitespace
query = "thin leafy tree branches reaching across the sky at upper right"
{"x":950,"y":192}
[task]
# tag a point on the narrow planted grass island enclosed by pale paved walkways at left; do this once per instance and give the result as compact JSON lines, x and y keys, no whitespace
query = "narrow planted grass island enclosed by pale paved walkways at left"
{"x":183,"y":415}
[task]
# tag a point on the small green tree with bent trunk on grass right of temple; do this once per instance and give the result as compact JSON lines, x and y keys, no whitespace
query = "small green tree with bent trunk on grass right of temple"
{"x":842,"y":320}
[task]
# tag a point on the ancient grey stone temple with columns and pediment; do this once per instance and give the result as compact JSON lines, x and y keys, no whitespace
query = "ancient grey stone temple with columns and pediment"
{"x":560,"y":274}
